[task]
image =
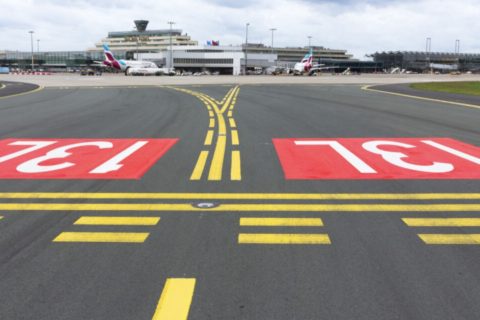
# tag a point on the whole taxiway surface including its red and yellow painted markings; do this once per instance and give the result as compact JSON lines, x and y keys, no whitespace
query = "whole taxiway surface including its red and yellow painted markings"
{"x":238,"y":202}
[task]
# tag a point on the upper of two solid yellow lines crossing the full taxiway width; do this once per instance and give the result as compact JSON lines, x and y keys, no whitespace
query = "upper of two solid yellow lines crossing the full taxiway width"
{"x":244,"y":196}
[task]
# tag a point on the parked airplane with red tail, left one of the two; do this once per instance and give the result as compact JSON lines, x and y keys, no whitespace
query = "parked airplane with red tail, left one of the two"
{"x":132,"y":67}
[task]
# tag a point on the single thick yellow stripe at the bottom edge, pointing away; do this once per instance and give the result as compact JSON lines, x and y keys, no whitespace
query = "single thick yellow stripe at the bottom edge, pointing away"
{"x":176,"y":298}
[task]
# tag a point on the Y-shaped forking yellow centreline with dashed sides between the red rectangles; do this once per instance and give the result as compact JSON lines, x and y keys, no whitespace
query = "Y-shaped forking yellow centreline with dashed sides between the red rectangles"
{"x":218,"y":129}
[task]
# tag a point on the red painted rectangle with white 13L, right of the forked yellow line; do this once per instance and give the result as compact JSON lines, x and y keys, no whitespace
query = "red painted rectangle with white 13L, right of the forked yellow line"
{"x":377,"y":158}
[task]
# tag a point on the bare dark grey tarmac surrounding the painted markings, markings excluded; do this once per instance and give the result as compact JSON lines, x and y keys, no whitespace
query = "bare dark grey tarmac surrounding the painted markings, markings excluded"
{"x":375,"y":267}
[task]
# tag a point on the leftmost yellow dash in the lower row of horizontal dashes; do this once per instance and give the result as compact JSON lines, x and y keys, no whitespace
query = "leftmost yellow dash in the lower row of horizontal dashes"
{"x":124,"y":237}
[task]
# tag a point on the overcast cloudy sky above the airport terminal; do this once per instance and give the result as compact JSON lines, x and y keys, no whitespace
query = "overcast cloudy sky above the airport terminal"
{"x":360,"y":27}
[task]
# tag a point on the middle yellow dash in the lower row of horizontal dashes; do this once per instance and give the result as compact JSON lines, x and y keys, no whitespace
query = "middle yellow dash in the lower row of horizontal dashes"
{"x":275,"y":238}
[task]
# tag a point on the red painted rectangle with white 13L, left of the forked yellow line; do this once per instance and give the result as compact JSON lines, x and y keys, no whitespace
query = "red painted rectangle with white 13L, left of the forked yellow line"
{"x":80,"y":158}
